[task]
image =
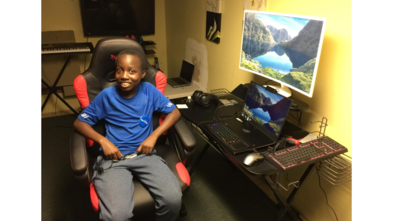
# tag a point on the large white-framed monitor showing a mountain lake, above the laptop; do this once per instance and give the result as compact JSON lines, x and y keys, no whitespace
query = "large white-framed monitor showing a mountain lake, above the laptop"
{"x":283,"y":48}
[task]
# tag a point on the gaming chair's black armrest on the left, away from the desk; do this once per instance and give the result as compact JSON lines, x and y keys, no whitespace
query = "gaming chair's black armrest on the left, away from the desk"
{"x":78,"y":155}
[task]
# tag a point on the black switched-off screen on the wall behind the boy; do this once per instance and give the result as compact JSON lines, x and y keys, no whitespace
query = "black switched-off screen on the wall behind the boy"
{"x":119,"y":17}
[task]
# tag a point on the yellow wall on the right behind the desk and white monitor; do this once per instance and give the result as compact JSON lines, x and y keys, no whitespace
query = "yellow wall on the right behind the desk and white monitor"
{"x":332,"y":96}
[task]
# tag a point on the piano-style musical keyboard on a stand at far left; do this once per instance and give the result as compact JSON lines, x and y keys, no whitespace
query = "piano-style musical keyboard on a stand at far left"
{"x":67,"y":48}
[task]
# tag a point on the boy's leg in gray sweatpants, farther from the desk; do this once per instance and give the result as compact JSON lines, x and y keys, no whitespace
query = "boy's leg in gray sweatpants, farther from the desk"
{"x":115,"y":190}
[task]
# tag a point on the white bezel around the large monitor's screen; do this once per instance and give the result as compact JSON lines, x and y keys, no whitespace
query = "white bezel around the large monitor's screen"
{"x":310,"y":94}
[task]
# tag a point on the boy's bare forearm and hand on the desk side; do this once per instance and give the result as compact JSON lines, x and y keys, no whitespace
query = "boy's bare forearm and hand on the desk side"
{"x":147,"y":145}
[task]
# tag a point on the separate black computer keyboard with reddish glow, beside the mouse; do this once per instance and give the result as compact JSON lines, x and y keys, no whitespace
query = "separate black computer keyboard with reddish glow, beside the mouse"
{"x":306,"y":153}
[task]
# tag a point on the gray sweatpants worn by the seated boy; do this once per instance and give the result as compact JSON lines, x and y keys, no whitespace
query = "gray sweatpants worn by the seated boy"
{"x":115,"y":188}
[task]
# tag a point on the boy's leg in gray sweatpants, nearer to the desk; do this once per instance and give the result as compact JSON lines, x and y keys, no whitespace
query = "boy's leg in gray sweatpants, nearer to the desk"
{"x":156,"y":176}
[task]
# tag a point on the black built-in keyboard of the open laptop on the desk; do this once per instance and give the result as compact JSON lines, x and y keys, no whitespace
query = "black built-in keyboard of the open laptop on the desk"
{"x":227,"y":136}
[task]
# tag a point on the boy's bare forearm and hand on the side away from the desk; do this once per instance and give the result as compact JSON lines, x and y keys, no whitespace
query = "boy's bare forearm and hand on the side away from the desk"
{"x":111,"y":152}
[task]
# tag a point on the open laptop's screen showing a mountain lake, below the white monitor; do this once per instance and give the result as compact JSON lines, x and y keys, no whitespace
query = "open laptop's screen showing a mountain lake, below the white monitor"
{"x":265,"y":108}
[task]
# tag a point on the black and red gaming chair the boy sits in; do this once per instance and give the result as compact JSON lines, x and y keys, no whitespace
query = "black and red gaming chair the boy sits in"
{"x":100,"y":75}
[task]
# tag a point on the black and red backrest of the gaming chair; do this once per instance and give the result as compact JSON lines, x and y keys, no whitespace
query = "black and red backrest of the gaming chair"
{"x":100,"y":75}
